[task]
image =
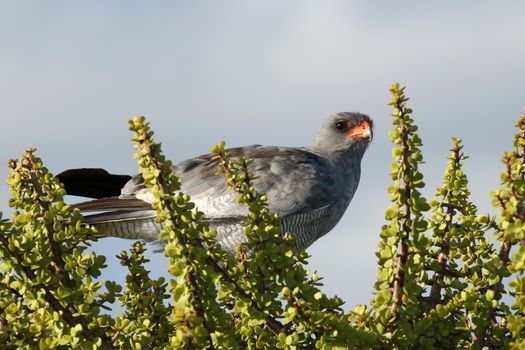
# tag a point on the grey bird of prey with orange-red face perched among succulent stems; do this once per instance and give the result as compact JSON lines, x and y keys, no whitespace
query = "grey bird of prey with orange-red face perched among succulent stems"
{"x":310,"y":187}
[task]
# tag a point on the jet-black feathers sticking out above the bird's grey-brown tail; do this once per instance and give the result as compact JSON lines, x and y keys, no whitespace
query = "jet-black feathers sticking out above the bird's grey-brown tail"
{"x":92,"y":182}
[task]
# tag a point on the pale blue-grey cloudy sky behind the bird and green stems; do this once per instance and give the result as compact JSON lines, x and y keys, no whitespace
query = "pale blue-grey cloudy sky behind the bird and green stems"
{"x":263,"y":72}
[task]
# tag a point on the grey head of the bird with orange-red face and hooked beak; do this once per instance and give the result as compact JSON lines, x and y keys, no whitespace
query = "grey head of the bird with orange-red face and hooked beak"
{"x":344,"y":132}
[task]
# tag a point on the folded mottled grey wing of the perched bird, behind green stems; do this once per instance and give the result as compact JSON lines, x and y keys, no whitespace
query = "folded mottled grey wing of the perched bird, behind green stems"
{"x":294,"y":180}
